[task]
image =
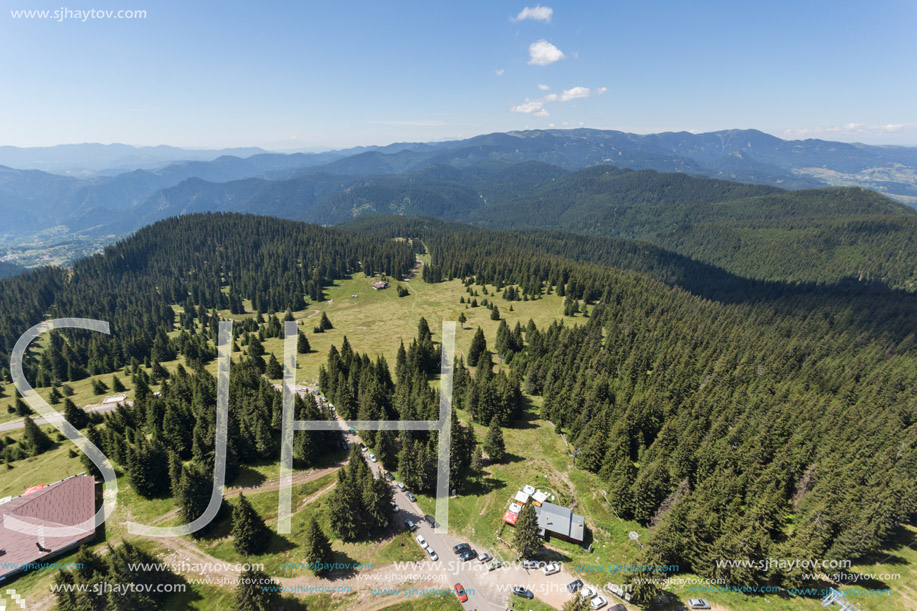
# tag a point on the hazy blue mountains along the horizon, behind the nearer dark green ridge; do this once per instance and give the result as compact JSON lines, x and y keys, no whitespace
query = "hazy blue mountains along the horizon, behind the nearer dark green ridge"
{"x":108,"y":203}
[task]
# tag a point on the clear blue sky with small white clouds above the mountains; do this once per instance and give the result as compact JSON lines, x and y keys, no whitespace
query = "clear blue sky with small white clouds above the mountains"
{"x":307,"y":75}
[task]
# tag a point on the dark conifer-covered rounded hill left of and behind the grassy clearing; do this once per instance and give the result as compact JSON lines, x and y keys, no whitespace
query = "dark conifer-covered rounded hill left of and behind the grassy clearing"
{"x":185,"y":260}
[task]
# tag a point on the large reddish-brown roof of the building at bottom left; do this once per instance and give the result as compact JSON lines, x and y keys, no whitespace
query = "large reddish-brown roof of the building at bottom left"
{"x":70,"y":502}
